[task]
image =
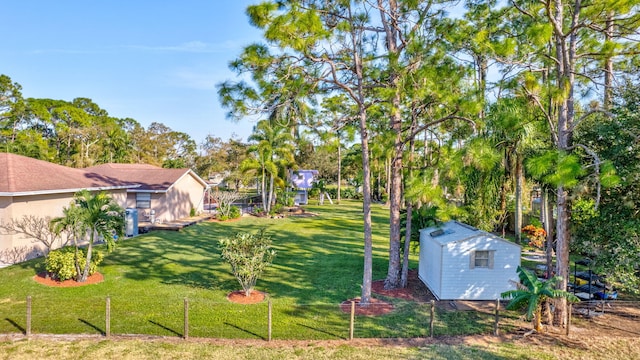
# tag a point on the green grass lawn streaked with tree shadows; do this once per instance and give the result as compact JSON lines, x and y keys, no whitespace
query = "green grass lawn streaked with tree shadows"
{"x":318,"y":265}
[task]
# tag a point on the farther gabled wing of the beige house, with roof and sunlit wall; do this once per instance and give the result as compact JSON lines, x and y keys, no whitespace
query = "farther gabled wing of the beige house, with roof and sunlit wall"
{"x":159,"y":194}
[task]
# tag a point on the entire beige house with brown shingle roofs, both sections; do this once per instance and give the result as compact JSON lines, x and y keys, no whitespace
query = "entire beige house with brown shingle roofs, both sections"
{"x":42,"y":189}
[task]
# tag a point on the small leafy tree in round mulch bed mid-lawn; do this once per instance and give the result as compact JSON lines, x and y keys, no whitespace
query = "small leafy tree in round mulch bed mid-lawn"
{"x":249,"y":255}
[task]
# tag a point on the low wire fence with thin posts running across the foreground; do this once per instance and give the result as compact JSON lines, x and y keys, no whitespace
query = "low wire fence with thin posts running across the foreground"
{"x":268,"y":320}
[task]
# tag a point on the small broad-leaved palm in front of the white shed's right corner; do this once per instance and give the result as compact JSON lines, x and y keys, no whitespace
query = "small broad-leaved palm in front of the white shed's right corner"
{"x":534,"y":292}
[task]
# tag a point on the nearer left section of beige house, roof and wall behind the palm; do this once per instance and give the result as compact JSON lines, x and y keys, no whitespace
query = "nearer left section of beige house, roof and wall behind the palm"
{"x":41,"y":189}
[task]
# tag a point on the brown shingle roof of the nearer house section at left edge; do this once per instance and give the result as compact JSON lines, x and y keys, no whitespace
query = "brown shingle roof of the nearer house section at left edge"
{"x":21,"y":175}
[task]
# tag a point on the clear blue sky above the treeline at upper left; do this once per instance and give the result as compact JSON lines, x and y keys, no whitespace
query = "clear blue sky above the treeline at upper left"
{"x":149,"y":60}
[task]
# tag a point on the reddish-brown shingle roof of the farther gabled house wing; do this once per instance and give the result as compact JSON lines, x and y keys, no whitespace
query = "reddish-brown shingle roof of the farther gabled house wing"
{"x":149,"y":177}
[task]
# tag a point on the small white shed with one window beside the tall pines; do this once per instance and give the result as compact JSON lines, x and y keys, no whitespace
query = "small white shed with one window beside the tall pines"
{"x":460,"y":262}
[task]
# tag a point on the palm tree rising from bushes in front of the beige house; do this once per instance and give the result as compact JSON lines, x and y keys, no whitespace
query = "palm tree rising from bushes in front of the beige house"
{"x":96,"y":216}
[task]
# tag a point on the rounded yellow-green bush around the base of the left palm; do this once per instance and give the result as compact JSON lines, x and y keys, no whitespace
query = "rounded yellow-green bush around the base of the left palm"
{"x":61,"y":264}
